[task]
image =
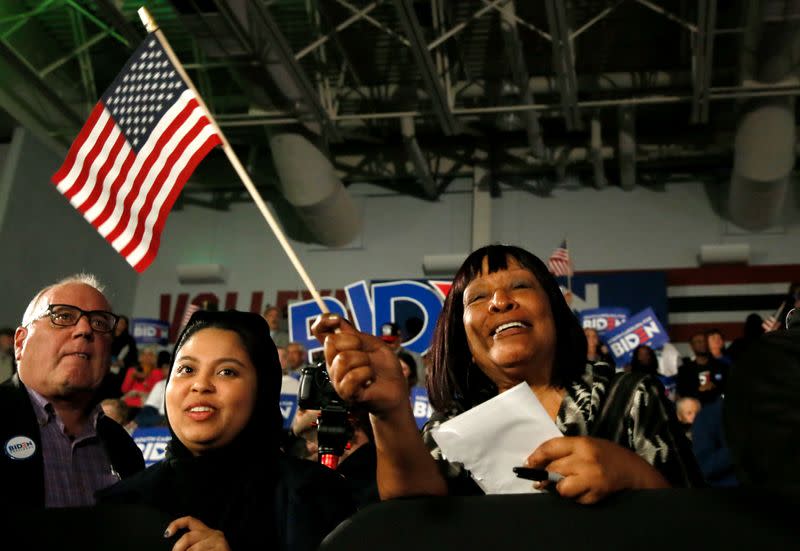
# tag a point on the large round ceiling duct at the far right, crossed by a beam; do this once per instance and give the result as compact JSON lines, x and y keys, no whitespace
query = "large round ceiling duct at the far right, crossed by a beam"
{"x":764,"y":147}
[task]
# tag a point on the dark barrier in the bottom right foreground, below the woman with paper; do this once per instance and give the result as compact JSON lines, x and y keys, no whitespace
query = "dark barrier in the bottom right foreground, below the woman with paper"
{"x":666,"y":520}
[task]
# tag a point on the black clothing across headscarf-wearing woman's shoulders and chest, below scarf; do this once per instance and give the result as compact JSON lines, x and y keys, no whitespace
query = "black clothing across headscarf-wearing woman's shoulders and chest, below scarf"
{"x":290,"y":505}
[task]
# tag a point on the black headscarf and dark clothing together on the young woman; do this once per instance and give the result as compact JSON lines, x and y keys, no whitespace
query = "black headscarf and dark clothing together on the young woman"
{"x":248,"y":489}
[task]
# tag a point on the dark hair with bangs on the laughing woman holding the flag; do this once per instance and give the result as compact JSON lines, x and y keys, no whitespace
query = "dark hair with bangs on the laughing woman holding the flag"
{"x":454,"y":379}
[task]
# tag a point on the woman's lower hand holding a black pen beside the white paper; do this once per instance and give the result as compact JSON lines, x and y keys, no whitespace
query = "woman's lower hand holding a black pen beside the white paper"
{"x":593,"y":468}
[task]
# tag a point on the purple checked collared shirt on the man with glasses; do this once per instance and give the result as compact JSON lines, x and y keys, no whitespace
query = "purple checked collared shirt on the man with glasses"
{"x":74,"y":467}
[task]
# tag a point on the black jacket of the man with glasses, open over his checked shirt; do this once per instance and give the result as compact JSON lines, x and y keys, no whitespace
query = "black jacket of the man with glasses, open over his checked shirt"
{"x":22,"y":480}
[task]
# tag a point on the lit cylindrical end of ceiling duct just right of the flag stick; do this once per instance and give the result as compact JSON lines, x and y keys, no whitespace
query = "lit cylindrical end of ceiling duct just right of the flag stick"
{"x":309,"y":182}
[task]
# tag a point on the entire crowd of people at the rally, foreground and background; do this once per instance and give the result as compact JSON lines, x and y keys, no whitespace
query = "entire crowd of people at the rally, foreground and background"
{"x":77,"y":386}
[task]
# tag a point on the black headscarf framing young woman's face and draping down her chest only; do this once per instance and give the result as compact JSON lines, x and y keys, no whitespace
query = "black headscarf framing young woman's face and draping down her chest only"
{"x":227,"y":488}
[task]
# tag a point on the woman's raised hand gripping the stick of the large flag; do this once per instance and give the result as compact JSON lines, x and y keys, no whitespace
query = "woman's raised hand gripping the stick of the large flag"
{"x":361,"y":367}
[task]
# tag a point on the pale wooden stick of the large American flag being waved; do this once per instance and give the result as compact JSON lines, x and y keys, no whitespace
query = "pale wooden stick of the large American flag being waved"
{"x":152,"y":27}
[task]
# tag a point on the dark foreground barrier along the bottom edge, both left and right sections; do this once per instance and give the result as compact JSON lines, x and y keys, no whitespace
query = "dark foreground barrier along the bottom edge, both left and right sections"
{"x":666,"y":520}
